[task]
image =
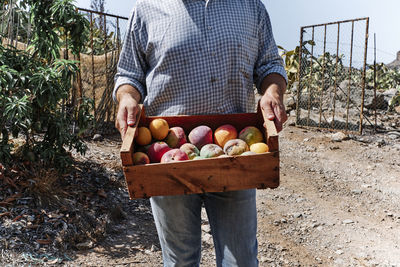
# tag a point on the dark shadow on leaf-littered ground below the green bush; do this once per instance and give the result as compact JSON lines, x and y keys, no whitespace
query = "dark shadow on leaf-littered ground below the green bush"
{"x":85,"y":210}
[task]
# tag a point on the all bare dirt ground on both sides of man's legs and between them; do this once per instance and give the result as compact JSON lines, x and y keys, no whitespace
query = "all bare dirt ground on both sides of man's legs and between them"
{"x":338,"y":205}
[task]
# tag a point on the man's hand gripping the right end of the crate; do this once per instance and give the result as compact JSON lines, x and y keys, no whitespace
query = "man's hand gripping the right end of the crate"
{"x":274,"y":87}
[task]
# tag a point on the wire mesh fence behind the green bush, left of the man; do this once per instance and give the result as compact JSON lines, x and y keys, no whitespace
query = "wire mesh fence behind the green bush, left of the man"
{"x":97,"y":62}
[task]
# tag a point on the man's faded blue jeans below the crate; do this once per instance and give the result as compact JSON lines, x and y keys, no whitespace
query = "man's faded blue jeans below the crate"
{"x":233,"y":221}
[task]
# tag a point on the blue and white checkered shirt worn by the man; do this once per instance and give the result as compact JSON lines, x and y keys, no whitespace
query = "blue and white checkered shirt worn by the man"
{"x":196,"y":56}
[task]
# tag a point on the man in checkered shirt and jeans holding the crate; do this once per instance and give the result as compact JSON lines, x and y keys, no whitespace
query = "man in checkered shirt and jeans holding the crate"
{"x":201,"y":57}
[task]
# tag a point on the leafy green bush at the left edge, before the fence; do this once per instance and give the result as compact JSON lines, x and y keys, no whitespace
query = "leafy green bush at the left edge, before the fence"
{"x":35,"y":86}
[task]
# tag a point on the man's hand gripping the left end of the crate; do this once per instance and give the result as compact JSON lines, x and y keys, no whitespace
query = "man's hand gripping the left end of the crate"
{"x":128,"y":98}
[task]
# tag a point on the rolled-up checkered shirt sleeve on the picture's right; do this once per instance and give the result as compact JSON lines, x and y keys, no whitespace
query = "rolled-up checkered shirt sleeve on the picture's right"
{"x":268,"y":61}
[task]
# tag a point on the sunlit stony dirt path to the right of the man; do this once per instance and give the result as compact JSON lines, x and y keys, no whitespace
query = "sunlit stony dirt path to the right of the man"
{"x":338,"y":203}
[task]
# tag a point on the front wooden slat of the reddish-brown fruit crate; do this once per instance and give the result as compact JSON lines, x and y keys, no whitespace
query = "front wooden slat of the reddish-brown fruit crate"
{"x":199,"y":176}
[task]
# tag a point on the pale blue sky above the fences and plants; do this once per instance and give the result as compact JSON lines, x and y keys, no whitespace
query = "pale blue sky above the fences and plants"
{"x":287,"y":16}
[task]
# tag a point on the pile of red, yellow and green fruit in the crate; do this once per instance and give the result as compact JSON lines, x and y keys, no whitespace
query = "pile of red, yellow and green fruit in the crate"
{"x":160,"y":144}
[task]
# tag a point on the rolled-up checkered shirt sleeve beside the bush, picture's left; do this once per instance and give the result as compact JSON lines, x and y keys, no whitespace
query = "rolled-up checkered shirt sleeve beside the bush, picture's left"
{"x":132,"y":66}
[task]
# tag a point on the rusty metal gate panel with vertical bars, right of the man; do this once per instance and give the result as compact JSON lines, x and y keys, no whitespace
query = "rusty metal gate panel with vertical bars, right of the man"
{"x":332,"y":76}
